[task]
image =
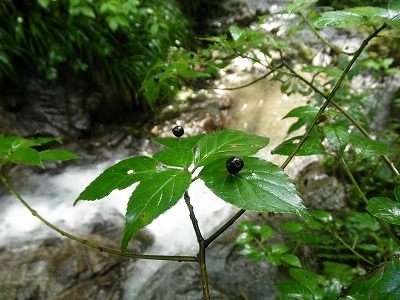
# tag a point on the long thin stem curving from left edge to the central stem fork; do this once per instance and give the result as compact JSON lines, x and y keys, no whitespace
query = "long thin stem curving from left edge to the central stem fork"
{"x":90,"y":244}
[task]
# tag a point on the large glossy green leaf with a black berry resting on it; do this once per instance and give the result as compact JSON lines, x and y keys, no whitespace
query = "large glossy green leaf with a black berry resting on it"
{"x":260,"y":186}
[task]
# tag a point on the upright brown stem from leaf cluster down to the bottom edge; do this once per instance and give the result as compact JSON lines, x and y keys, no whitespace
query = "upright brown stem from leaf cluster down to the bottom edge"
{"x":201,"y":256}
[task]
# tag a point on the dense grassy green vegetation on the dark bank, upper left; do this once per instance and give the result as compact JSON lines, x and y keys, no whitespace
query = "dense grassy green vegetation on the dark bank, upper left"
{"x":118,"y":40}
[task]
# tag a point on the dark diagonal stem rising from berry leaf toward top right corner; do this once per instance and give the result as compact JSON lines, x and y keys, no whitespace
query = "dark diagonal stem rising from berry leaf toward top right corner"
{"x":331,"y":95}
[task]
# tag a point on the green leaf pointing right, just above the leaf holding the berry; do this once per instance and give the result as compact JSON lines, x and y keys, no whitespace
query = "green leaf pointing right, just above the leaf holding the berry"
{"x":227,"y":143}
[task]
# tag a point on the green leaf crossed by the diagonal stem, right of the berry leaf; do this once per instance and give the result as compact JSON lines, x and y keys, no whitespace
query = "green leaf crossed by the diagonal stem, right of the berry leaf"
{"x":311,"y":146}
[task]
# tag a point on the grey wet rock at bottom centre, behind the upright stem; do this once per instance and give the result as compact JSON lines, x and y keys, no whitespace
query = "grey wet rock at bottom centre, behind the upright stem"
{"x":231,"y":276}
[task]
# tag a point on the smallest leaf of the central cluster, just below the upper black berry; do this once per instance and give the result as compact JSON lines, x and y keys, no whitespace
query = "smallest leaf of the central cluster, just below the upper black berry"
{"x":180,"y":157}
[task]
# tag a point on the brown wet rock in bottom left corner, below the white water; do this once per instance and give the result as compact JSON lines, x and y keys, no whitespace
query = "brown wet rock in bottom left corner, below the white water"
{"x":63,"y":269}
